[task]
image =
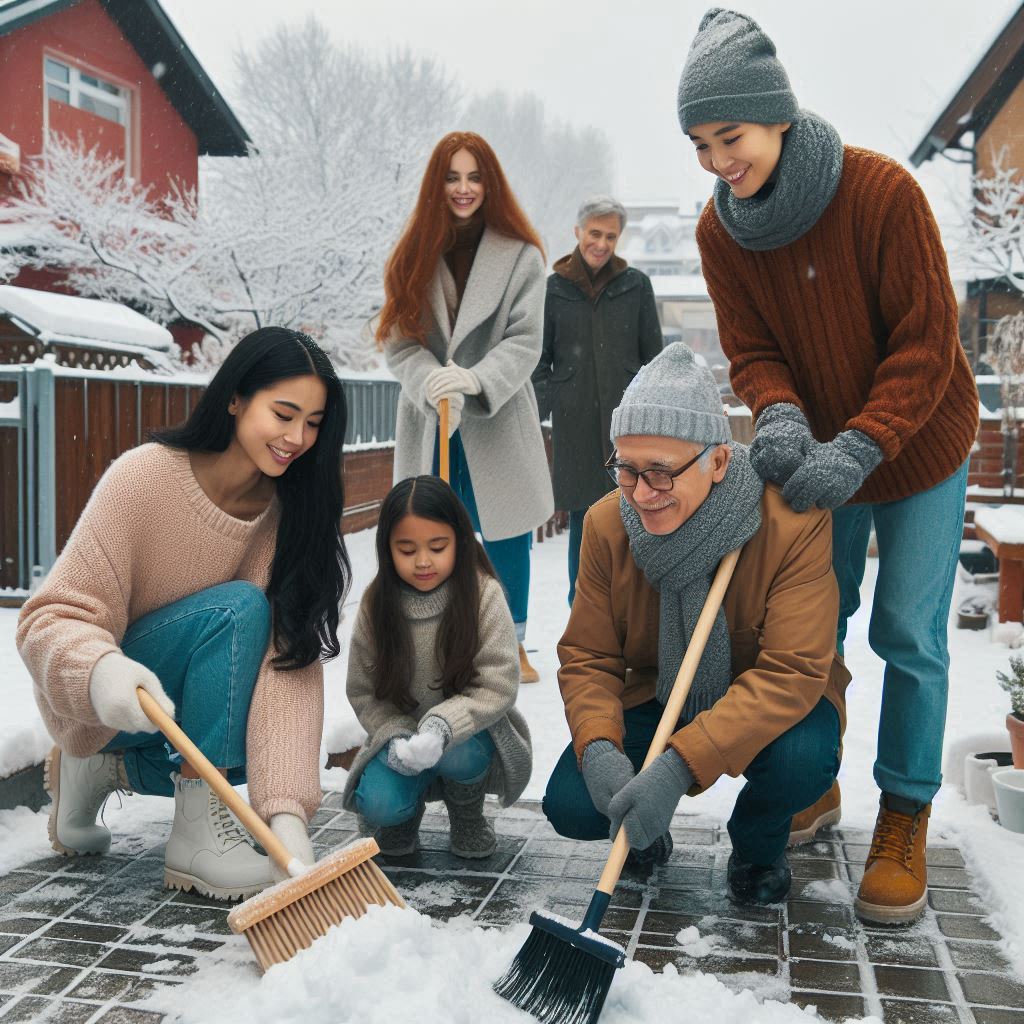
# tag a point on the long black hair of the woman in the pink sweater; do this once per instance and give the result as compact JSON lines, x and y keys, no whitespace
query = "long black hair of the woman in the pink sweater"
{"x":311,"y":574}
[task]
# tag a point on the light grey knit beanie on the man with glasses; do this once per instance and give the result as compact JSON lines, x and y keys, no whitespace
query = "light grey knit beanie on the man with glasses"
{"x":672,"y":397}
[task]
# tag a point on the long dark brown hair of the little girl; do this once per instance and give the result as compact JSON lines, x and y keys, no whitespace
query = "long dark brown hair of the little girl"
{"x":459,"y":637}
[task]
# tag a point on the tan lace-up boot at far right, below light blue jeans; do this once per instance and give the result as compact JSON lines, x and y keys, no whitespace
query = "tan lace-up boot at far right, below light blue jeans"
{"x":894,"y":889}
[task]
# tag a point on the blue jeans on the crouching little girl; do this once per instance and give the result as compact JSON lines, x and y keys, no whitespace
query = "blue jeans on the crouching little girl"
{"x":386,"y":797}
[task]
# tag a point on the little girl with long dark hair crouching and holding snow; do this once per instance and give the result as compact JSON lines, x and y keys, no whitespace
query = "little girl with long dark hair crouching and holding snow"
{"x":434,"y":673}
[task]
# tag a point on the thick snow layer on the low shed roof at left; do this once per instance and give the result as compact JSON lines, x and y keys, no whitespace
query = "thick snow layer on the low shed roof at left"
{"x":69,"y":319}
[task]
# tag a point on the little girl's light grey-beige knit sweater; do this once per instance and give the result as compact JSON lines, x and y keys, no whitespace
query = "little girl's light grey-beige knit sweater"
{"x":490,"y":704}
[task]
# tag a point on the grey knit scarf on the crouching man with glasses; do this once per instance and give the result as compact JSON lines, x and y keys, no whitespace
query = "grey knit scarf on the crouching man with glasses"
{"x":681,"y":567}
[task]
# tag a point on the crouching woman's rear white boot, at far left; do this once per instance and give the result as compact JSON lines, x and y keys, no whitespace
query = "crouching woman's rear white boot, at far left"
{"x":79,"y":788}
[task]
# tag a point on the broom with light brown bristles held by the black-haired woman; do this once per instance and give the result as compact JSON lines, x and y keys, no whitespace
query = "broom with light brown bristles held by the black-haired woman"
{"x":292,"y":915}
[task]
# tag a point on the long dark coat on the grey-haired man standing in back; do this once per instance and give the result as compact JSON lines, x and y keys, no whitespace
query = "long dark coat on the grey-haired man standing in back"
{"x":591,"y":353}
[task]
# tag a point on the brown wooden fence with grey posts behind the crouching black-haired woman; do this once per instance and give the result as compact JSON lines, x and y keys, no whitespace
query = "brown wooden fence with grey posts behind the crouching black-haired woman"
{"x":61,"y":428}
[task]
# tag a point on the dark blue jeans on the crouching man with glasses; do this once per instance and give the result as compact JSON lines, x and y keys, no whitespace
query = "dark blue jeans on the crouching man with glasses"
{"x":790,"y":775}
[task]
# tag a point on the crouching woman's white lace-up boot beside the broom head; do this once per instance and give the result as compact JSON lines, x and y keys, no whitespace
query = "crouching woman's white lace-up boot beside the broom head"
{"x":208,"y":850}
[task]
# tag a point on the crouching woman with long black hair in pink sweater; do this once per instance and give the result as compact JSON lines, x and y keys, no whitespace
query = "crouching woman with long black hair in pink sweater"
{"x":208,"y":569}
